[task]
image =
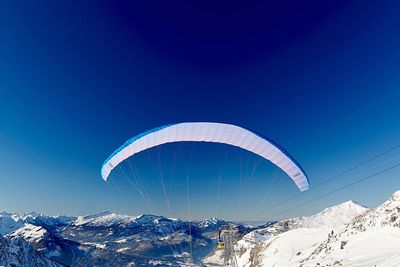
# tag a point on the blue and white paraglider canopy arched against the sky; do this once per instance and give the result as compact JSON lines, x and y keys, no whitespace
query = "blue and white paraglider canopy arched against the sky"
{"x":209,"y":132}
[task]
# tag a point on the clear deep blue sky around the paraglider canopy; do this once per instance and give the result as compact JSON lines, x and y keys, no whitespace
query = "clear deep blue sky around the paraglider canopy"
{"x":78,"y":79}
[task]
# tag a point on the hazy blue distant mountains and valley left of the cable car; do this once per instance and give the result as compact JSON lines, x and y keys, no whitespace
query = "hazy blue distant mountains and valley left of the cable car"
{"x":106,"y":238}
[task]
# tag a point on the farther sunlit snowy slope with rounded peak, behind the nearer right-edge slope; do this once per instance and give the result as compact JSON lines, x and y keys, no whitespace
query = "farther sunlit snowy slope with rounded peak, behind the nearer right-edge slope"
{"x":288,"y":242}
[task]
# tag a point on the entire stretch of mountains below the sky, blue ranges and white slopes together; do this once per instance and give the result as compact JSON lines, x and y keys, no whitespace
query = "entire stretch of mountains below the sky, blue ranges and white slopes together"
{"x":348,"y":234}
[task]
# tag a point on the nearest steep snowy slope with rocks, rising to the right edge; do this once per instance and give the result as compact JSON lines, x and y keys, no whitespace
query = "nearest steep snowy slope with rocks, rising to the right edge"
{"x":370,"y":239}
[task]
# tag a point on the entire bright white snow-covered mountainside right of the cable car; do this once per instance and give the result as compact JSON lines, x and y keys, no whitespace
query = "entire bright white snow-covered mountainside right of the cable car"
{"x":344,"y":235}
